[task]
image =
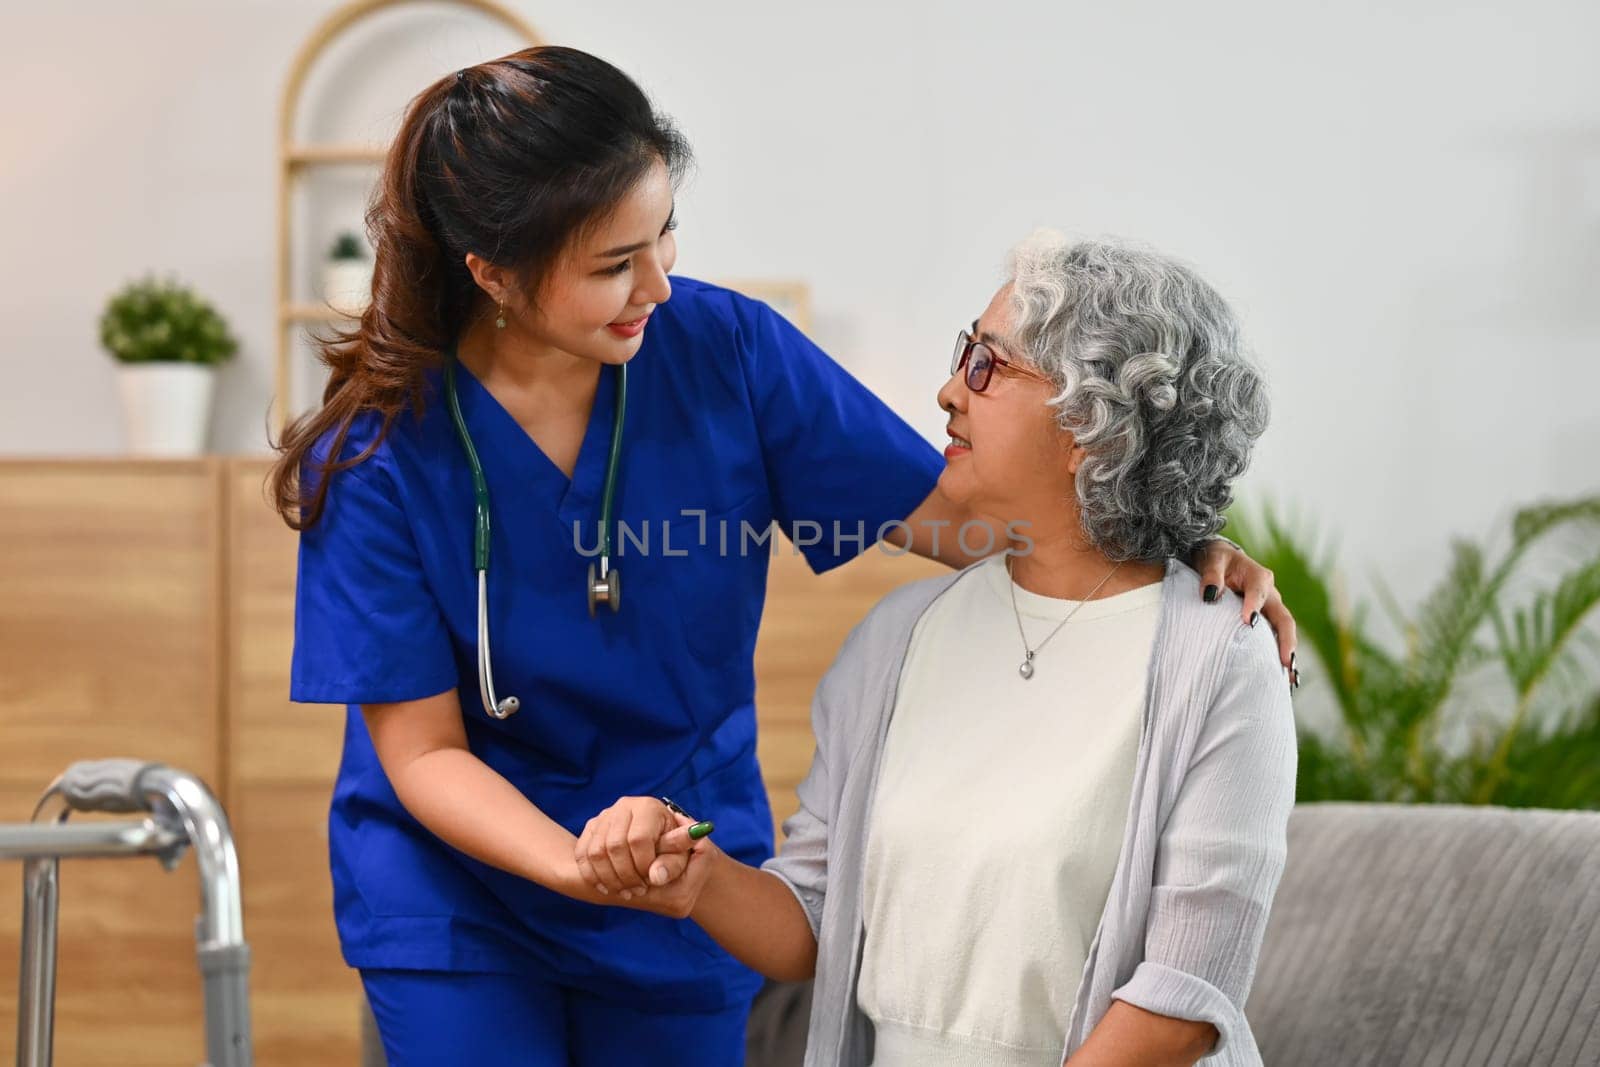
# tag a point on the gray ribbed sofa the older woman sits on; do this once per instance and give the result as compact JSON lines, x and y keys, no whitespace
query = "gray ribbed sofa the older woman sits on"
{"x":1430,"y":937}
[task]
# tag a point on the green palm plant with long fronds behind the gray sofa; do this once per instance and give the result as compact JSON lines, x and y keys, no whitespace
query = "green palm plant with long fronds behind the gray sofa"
{"x":1476,"y":642}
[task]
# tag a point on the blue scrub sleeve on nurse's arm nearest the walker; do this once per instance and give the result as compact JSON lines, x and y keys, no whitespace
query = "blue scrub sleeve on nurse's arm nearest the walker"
{"x":367,"y":628}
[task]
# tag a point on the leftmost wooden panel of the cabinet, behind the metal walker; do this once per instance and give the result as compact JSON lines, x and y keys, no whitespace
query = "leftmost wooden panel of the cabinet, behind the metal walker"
{"x":111,"y":605}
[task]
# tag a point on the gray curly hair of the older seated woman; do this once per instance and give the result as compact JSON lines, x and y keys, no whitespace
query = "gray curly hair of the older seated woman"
{"x":1153,"y":383}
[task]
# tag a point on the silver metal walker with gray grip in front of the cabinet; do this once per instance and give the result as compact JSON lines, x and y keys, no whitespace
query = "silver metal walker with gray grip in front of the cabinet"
{"x":175,"y":810}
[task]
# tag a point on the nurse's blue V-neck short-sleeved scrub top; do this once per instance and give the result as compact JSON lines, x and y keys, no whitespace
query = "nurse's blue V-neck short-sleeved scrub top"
{"x":732,"y":412}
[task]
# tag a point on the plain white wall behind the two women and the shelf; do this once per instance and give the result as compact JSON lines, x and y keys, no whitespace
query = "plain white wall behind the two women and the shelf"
{"x":1404,"y":202}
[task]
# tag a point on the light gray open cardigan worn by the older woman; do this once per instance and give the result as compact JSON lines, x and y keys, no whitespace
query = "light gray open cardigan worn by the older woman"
{"x":1201,"y":858}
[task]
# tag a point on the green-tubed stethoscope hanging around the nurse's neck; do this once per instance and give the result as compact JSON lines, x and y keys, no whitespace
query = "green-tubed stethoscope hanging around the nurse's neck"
{"x":607,"y":588}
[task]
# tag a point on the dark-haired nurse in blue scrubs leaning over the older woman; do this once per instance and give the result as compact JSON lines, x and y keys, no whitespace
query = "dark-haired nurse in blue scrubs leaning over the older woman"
{"x":524,"y":236}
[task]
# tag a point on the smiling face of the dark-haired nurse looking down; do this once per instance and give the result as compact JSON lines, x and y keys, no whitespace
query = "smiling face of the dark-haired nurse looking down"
{"x":598,"y":298}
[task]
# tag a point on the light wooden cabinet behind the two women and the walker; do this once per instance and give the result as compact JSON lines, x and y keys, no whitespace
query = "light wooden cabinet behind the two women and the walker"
{"x":146,"y":610}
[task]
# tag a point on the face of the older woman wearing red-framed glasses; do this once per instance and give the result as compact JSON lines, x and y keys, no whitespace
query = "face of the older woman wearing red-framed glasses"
{"x":1009,"y":457}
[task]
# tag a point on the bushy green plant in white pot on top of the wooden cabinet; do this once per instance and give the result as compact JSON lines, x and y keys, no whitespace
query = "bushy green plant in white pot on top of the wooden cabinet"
{"x":169,"y":345}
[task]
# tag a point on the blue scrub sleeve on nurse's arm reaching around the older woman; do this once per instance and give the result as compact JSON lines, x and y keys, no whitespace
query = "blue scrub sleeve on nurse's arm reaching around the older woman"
{"x":836,"y":455}
